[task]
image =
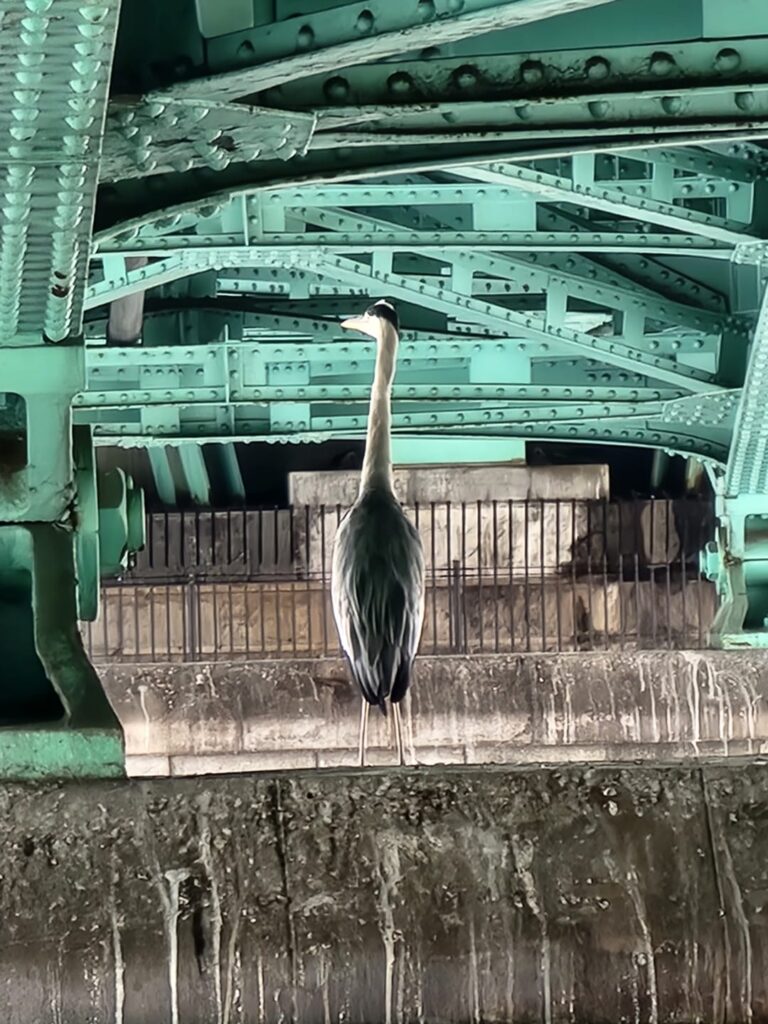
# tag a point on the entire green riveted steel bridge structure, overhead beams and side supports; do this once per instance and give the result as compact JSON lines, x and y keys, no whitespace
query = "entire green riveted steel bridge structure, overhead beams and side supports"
{"x":568,"y":200}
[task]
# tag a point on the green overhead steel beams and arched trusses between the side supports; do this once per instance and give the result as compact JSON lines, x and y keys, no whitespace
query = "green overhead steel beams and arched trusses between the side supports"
{"x":565,"y":197}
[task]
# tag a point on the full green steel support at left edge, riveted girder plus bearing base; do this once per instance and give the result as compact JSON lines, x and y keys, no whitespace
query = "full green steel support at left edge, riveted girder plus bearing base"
{"x":56,"y":60}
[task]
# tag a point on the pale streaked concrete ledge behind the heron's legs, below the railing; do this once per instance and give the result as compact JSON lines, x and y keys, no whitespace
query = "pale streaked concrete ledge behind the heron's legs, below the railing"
{"x":598,"y":708}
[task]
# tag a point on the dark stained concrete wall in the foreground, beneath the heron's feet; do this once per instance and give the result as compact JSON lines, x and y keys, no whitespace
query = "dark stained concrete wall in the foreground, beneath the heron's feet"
{"x":579,"y":895}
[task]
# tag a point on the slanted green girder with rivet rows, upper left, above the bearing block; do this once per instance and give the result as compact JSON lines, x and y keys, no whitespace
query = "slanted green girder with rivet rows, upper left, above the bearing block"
{"x":55,"y":74}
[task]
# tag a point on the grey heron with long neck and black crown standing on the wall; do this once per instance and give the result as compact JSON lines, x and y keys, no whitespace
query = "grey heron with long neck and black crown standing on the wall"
{"x":377,"y":580}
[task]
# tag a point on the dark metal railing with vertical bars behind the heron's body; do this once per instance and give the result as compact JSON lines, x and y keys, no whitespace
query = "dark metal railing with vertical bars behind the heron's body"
{"x":518,"y":576}
